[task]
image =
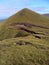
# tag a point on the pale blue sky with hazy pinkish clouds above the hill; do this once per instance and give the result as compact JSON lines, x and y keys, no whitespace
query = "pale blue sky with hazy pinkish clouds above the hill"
{"x":9,"y":7}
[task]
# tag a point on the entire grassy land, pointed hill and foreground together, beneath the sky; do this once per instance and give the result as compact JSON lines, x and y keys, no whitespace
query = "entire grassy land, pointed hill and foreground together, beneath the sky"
{"x":24,"y":39}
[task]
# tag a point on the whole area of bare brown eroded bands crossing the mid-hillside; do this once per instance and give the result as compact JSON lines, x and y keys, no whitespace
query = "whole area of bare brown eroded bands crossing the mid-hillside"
{"x":26,"y":27}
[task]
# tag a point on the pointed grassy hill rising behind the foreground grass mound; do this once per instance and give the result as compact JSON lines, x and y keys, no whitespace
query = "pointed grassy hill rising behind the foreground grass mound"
{"x":23,"y":19}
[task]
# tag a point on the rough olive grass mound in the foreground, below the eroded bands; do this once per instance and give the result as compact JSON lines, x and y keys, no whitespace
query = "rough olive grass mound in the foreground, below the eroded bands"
{"x":21,"y":51}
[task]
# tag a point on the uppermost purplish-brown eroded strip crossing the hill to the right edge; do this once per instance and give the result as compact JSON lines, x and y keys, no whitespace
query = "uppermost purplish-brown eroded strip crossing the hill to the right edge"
{"x":29,"y":25}
